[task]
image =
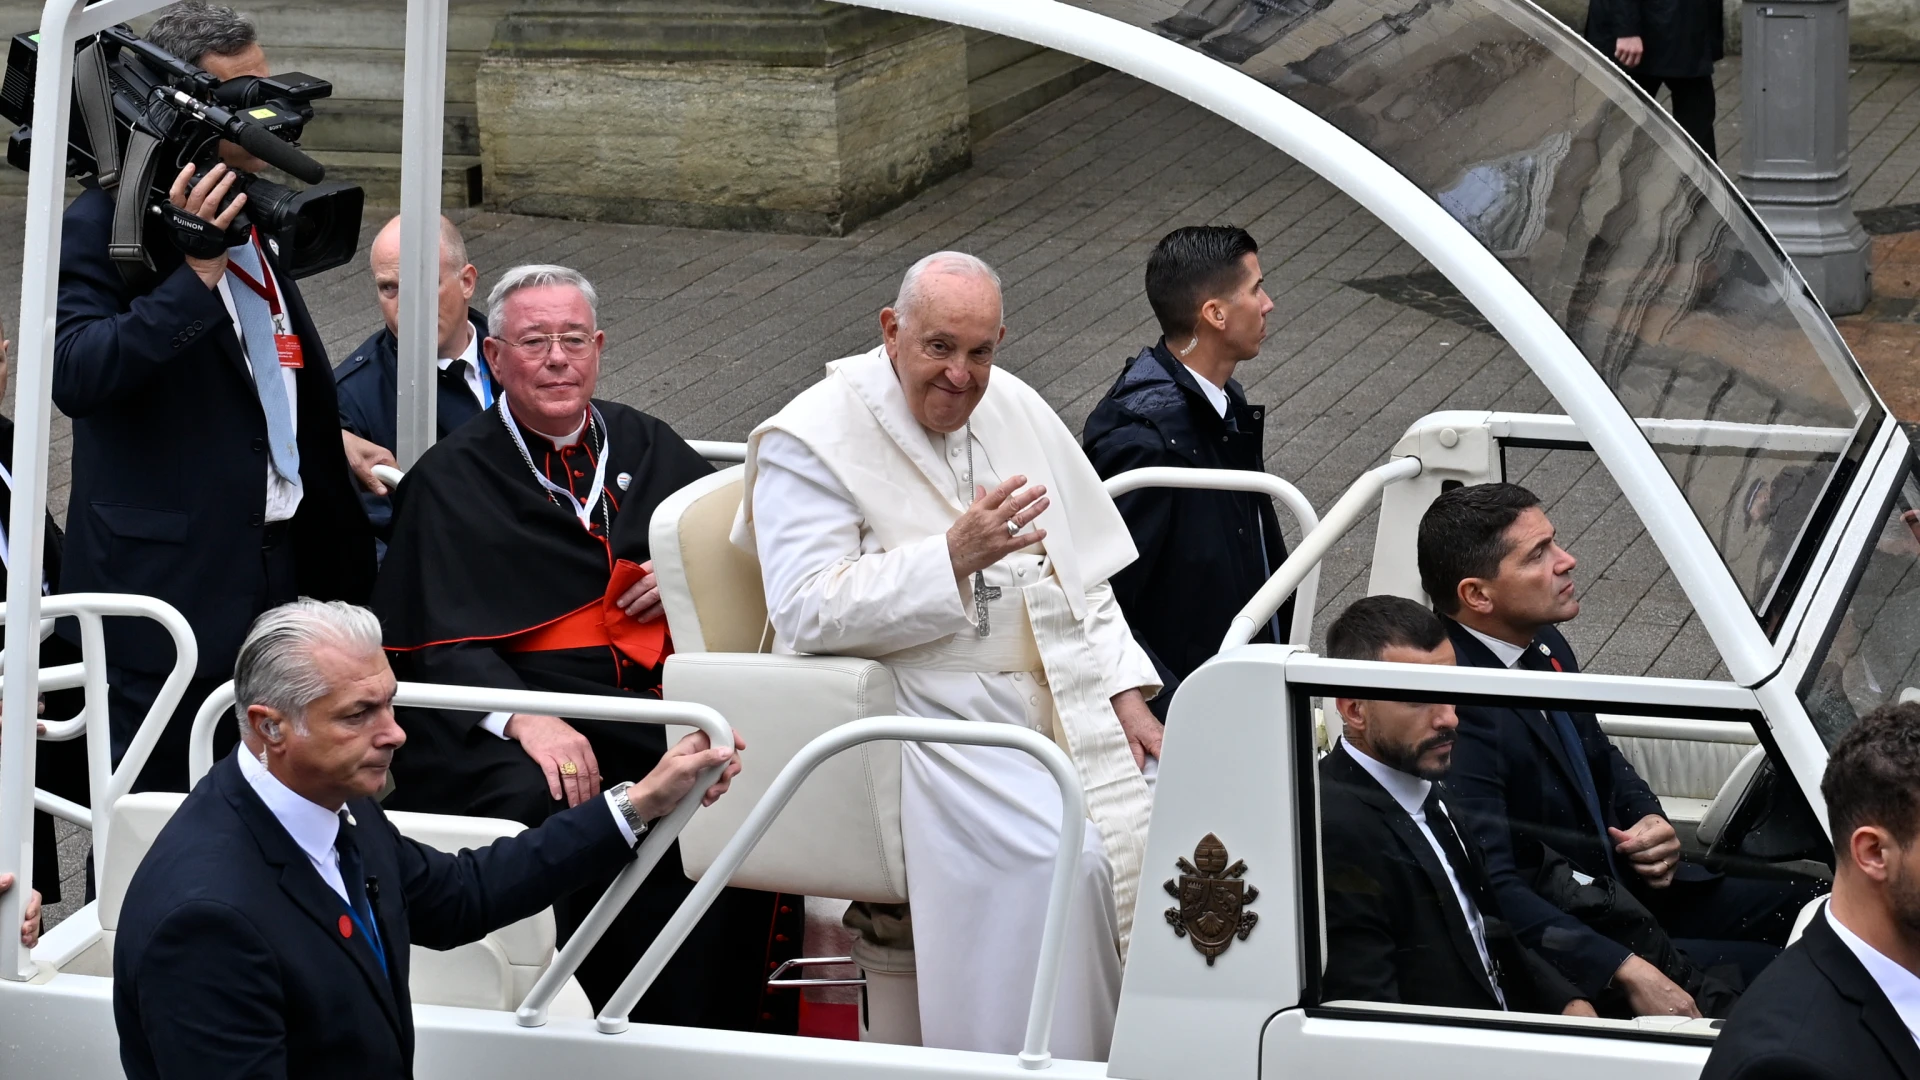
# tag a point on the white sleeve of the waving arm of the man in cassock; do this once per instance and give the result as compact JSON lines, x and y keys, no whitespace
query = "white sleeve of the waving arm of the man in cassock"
{"x":828,"y":595}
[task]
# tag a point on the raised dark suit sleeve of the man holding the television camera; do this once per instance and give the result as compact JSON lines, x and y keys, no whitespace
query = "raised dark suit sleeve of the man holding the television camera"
{"x":101,"y":353}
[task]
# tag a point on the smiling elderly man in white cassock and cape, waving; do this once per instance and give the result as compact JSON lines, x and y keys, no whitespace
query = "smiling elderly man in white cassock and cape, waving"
{"x":934,"y":514}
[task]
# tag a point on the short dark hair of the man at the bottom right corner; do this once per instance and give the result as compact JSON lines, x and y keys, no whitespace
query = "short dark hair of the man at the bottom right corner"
{"x":1873,"y":777}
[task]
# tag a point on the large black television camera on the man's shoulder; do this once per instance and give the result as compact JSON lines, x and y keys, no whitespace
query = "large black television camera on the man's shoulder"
{"x":143,"y":114}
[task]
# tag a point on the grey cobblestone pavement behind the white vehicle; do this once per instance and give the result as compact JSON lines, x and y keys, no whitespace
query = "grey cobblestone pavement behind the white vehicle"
{"x":713,"y":331}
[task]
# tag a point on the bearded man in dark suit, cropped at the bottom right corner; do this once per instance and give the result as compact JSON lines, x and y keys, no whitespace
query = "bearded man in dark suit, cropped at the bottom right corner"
{"x":1844,"y":1002}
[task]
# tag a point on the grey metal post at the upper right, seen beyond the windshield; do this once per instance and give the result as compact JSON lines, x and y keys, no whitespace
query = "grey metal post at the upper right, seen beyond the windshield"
{"x":1794,"y":160}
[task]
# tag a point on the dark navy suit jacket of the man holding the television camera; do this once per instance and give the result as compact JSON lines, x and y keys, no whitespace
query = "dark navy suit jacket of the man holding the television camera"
{"x":170,"y":451}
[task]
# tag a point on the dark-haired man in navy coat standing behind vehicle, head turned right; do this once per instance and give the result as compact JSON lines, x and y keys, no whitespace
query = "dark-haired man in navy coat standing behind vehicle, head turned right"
{"x":1203,"y":554}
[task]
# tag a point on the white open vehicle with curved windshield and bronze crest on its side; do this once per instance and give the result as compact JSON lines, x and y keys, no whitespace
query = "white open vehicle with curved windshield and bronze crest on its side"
{"x":1243,"y":735}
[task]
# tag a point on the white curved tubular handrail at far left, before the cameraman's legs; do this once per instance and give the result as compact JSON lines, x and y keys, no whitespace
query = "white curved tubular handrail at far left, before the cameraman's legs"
{"x":105,"y":781}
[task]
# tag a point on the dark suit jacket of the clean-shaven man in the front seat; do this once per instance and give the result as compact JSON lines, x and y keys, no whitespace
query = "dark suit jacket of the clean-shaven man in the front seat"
{"x":1514,"y":785}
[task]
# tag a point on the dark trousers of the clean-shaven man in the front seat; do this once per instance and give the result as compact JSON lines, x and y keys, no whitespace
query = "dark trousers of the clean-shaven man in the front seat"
{"x":1731,"y":920}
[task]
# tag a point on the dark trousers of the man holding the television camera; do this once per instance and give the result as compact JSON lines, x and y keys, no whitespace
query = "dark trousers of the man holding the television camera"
{"x":133,"y":693}
